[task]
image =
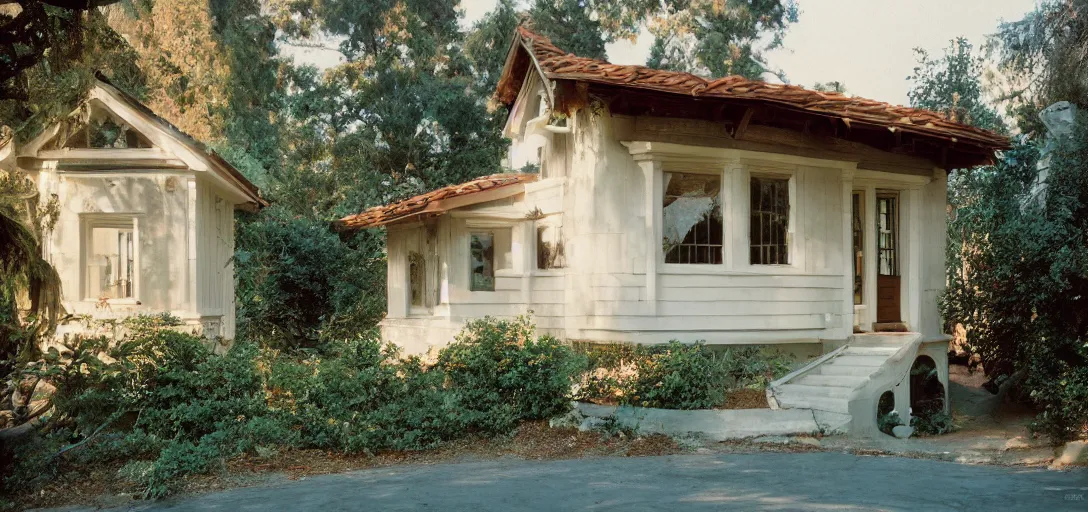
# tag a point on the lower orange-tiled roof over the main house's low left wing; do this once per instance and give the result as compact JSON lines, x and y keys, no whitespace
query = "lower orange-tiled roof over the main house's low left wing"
{"x":498,"y":186}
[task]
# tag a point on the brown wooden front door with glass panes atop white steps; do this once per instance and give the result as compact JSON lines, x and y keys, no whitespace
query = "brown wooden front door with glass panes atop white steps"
{"x":888,"y":279}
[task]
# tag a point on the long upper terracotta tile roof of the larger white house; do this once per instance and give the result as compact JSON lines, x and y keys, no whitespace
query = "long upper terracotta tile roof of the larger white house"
{"x":558,"y":65}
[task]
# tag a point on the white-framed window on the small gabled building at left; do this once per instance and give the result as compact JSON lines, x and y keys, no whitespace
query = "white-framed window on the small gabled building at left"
{"x":110,"y":259}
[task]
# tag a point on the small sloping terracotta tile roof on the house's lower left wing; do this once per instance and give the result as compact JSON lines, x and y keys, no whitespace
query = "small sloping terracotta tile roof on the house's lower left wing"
{"x":430,"y":203}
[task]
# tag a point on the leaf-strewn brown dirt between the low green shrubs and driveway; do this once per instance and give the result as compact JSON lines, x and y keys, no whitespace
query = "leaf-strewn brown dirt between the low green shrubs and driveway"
{"x":534,"y":441}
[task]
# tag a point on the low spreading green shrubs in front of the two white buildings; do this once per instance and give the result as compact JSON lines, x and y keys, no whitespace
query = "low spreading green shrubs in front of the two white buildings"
{"x":162,"y":405}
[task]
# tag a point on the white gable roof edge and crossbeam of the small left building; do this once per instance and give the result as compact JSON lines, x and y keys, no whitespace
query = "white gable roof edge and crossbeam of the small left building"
{"x":186,"y":152}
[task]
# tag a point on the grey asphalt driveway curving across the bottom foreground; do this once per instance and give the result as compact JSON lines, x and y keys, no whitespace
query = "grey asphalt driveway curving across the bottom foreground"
{"x":819,"y":481}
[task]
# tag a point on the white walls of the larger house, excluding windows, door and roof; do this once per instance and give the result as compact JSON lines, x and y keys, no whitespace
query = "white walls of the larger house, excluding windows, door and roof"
{"x":603,"y":189}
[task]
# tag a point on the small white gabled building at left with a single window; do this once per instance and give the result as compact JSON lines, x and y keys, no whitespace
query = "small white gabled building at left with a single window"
{"x":146,"y":214}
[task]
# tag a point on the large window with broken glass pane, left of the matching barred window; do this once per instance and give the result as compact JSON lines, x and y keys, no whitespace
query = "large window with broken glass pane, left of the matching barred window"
{"x":693,"y":208}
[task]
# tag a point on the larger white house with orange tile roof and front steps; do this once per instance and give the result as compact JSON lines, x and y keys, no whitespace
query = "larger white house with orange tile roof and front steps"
{"x":674,"y":207}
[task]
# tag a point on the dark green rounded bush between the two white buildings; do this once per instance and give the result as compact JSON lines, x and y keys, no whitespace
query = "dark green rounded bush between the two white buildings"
{"x":296,"y":278}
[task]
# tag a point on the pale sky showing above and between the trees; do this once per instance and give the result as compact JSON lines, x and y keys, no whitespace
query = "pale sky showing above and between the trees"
{"x":869,"y":45}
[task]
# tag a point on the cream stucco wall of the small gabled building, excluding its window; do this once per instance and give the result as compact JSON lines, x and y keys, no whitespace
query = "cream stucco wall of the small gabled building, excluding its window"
{"x":184,"y":233}
